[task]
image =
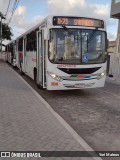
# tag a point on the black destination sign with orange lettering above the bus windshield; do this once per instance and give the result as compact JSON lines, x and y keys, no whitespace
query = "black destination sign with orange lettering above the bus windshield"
{"x":78,"y":21}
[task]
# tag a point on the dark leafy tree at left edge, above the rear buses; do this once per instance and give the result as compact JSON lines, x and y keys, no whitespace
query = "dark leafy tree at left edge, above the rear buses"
{"x":6,"y":32}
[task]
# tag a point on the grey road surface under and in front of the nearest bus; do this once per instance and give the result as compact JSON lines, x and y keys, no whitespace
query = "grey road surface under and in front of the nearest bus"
{"x":93,"y":113}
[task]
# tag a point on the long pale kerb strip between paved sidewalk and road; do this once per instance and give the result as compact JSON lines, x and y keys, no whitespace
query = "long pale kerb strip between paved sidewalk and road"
{"x":62,"y":121}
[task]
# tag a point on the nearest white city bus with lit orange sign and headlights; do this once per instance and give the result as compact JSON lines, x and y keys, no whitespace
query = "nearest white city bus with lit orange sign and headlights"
{"x":64,"y":52}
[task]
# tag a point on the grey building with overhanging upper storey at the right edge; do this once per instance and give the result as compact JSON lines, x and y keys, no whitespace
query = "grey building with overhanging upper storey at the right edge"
{"x":115,"y":61}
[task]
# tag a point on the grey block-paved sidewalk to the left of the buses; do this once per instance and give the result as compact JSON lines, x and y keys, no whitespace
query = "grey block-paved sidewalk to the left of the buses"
{"x":27,"y":123}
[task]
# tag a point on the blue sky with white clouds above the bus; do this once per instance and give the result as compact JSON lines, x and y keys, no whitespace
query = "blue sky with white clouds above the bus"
{"x":31,"y":12}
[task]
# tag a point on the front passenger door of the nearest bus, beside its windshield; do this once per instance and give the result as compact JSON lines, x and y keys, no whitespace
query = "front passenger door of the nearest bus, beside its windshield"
{"x":41,"y":74}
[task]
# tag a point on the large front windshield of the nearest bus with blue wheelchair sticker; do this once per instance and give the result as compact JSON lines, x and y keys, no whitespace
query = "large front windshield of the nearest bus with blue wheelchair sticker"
{"x":77,"y":46}
